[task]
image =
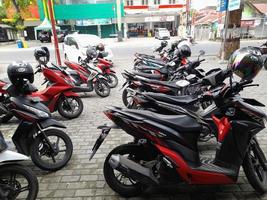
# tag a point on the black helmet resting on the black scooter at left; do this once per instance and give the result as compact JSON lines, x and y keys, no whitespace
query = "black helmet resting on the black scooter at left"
{"x":20,"y":71}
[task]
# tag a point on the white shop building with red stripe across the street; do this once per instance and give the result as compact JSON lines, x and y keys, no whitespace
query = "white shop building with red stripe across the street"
{"x":143,"y":16}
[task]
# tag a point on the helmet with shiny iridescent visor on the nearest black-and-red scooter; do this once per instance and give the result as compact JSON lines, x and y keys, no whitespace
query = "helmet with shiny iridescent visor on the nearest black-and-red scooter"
{"x":246,"y":62}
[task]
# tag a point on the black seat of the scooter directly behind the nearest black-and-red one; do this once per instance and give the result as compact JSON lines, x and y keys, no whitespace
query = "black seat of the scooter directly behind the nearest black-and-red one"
{"x":176,"y":100}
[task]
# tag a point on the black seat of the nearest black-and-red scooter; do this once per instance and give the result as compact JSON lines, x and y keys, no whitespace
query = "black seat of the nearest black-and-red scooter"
{"x":180,"y":123}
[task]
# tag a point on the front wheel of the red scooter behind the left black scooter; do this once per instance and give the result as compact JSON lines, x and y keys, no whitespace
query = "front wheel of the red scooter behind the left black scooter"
{"x":66,"y":110}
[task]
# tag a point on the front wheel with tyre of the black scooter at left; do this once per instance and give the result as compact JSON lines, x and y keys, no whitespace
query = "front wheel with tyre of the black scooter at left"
{"x":40,"y":148}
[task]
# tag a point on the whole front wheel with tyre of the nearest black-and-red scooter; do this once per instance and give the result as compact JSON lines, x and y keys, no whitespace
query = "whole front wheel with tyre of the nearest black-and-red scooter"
{"x":257,"y":179}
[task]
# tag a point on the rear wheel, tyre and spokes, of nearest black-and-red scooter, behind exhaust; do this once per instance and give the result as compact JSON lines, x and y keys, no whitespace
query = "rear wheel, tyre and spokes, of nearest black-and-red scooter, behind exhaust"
{"x":119,"y":182}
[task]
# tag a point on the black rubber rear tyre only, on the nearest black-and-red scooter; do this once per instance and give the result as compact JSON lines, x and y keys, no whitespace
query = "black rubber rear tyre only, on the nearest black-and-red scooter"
{"x":111,"y":178}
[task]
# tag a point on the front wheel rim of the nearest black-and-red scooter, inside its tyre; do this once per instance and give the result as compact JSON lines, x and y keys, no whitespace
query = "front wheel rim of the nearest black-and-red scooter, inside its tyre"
{"x":260,"y":173}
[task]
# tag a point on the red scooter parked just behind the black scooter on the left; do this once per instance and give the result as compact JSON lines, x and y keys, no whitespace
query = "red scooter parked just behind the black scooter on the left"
{"x":60,"y":95}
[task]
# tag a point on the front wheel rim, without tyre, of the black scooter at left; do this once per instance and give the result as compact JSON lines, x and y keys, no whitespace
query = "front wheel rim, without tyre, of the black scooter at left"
{"x":57,"y":154}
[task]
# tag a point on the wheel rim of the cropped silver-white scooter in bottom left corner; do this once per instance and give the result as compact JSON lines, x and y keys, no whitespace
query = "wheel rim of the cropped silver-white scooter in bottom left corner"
{"x":14,"y":186}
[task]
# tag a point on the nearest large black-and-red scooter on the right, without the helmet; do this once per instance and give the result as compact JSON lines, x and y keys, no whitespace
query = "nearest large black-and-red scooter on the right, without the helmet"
{"x":165,"y":151}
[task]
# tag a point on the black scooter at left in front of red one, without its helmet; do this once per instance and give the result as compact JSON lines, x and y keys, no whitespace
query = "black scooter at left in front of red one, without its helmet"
{"x":50,"y":148}
